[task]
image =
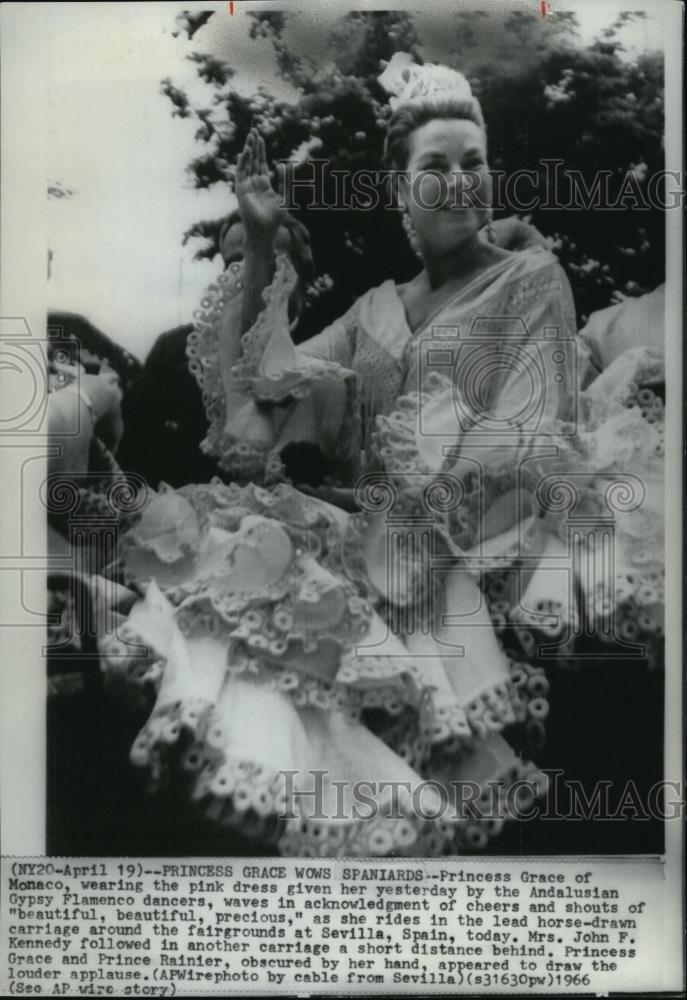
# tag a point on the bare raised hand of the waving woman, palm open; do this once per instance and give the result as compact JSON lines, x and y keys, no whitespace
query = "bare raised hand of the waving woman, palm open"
{"x":260,"y":206}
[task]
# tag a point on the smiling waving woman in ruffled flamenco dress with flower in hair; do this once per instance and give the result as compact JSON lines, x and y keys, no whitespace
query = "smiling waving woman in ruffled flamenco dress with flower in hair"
{"x":287,"y":636}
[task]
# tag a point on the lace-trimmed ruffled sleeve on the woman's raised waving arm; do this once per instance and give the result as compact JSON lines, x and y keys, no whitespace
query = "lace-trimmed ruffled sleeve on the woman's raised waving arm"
{"x":260,"y":391}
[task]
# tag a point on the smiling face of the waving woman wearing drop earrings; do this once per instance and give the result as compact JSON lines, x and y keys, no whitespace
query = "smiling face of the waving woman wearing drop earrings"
{"x":447,"y":187}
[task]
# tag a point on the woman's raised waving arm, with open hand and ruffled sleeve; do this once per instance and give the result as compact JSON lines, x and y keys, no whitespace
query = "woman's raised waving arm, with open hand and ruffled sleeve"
{"x":257,"y":385}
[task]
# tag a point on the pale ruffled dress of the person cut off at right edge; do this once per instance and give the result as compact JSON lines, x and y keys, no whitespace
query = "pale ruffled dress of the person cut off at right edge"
{"x":594,"y":589}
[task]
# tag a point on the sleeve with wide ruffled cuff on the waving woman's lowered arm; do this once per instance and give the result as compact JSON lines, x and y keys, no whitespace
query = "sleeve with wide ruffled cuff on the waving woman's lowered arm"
{"x":512,"y":390}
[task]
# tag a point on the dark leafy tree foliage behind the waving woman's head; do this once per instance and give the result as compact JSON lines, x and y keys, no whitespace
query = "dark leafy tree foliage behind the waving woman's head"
{"x":545,"y":97}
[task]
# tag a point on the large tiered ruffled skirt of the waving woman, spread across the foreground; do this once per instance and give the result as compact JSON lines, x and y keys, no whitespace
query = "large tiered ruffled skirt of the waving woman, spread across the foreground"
{"x":282,"y":702}
